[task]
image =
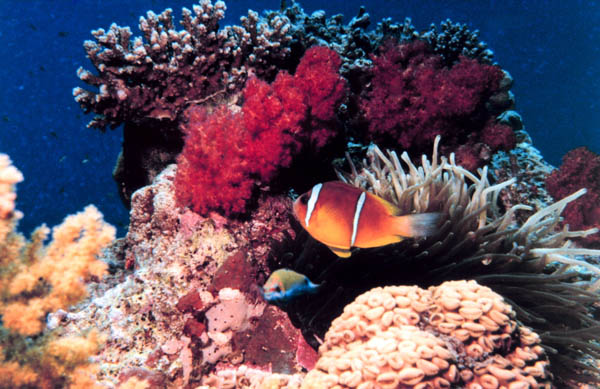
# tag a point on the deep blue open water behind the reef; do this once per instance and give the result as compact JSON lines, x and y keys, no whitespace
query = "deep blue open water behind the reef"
{"x":550,"y":48}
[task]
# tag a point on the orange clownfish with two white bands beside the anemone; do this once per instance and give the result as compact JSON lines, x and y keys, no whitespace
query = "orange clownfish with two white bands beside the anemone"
{"x":342,"y":216}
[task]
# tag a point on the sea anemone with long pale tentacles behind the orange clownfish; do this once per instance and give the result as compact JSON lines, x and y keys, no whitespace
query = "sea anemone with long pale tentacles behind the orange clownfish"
{"x":534,"y":266}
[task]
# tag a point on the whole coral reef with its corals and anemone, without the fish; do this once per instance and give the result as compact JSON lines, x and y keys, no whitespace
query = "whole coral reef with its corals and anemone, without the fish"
{"x":257,"y":110}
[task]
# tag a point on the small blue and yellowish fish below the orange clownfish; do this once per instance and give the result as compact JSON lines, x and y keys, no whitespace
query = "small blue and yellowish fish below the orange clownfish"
{"x":284,"y":285}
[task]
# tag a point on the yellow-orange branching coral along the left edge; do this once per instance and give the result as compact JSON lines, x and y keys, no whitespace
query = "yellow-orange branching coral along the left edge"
{"x":37,"y":279}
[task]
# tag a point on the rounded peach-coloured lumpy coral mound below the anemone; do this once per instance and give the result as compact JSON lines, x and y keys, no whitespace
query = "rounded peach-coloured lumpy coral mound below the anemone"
{"x":457,"y":334}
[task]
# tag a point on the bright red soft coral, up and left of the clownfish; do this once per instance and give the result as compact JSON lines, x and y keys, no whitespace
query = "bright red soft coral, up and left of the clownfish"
{"x":229,"y":151}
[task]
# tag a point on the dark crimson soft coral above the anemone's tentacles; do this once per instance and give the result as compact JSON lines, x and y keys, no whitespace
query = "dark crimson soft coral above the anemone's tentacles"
{"x":414,"y":97}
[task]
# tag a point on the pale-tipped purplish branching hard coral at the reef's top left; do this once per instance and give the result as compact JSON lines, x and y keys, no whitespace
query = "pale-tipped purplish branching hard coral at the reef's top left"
{"x":159,"y":75}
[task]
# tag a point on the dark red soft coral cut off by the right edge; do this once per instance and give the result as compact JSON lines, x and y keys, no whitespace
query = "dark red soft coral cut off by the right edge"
{"x":580,"y":169}
